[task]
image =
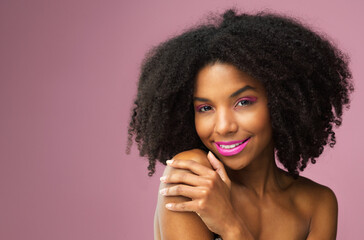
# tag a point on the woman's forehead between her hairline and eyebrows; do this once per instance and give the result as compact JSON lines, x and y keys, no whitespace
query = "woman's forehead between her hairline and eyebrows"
{"x":223,"y":77}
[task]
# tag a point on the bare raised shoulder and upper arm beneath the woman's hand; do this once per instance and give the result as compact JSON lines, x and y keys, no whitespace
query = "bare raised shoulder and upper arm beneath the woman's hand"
{"x":180,"y":225}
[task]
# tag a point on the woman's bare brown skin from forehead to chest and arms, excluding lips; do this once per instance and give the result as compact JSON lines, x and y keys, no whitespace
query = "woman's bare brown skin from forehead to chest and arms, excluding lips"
{"x":244,"y":196}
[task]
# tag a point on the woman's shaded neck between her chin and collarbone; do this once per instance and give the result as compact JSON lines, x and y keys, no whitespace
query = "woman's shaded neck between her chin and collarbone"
{"x":261,"y":176}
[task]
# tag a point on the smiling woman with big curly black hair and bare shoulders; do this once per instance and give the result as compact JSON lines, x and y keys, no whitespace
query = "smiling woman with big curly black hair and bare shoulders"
{"x":223,"y":101}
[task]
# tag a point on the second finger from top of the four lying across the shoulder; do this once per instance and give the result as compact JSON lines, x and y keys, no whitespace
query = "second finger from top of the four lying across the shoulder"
{"x":185,"y":177}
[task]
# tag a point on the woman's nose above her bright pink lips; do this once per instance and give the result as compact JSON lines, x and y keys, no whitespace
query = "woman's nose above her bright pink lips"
{"x":225,"y":122}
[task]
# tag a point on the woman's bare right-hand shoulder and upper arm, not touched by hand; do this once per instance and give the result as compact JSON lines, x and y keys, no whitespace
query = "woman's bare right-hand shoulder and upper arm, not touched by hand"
{"x":320,"y":204}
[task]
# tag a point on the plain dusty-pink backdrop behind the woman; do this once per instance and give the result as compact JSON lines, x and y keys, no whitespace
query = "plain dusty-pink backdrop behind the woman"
{"x":68,"y":74}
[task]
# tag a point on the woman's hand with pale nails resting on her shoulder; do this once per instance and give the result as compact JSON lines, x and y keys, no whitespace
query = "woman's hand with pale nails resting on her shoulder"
{"x":209,"y":191}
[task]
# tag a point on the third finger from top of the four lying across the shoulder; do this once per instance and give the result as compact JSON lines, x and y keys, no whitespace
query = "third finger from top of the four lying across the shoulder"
{"x":183,"y":190}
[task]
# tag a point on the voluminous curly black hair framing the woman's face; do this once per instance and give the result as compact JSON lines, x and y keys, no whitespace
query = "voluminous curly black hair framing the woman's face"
{"x":306,"y":77}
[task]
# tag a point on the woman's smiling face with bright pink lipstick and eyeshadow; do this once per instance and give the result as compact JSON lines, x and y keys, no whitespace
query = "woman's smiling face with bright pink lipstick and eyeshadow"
{"x":232,"y":116}
